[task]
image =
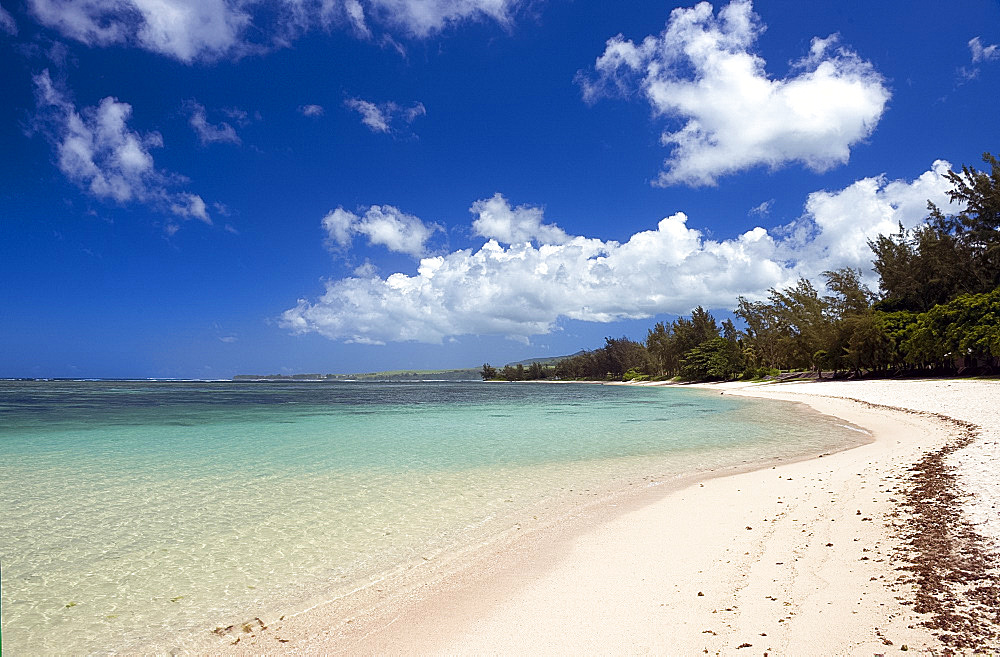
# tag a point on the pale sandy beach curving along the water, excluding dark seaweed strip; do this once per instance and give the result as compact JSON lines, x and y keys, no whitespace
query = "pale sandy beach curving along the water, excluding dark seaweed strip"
{"x":801,"y":558}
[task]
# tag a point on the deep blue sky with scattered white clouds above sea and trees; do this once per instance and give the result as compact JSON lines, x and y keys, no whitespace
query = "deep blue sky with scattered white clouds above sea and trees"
{"x":203,"y":188}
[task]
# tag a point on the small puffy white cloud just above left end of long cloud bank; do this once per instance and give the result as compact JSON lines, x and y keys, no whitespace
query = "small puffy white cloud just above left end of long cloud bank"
{"x":383,"y":225}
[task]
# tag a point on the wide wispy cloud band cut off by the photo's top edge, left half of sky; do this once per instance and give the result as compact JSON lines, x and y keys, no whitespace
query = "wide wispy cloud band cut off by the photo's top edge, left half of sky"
{"x":192,"y":30}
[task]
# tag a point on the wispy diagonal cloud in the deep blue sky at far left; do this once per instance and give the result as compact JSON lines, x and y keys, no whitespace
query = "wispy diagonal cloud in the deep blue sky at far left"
{"x":96,"y":149}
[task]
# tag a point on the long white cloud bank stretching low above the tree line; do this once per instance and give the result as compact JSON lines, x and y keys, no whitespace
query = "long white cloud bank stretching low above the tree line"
{"x":524,"y":288}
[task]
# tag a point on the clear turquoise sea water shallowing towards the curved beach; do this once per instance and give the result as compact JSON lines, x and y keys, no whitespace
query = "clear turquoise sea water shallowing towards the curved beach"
{"x":138,"y":514}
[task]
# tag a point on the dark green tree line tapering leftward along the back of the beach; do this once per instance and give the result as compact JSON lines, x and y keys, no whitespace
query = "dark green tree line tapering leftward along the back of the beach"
{"x":936,"y":310}
